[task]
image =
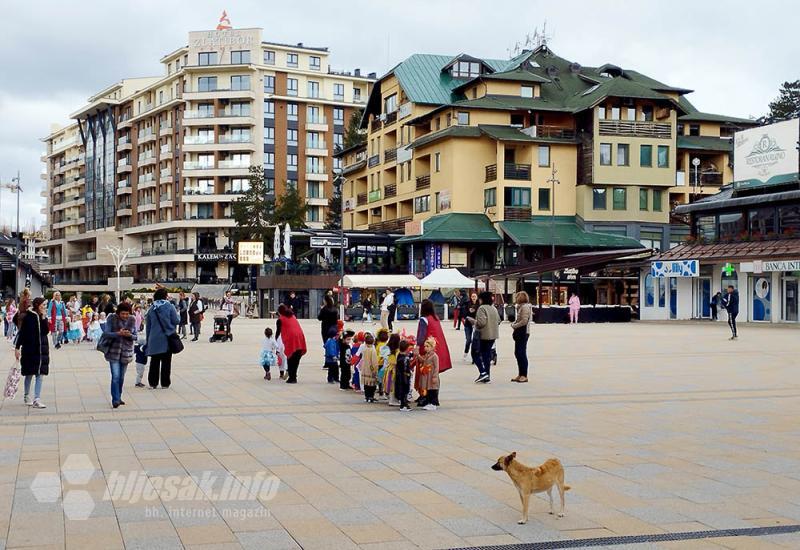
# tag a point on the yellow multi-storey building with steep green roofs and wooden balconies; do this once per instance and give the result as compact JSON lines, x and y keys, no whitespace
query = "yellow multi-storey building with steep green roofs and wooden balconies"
{"x":490,"y":152}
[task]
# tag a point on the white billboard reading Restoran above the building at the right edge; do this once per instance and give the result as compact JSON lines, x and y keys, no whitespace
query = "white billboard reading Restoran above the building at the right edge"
{"x":765,"y":152}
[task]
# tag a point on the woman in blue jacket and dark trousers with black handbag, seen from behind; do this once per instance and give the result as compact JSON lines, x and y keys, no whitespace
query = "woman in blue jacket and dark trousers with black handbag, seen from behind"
{"x":162,"y":339}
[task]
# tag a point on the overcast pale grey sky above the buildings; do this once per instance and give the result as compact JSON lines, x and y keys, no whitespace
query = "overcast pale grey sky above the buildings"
{"x":55,"y":54}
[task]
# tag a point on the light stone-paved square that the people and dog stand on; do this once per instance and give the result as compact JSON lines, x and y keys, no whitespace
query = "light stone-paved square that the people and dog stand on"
{"x":661,"y":428}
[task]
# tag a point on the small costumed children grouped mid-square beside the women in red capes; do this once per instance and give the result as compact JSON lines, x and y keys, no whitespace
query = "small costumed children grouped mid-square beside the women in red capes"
{"x":383,"y":366}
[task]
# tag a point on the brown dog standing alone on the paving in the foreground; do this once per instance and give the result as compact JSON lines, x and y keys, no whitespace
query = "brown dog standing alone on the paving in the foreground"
{"x":529,"y":480}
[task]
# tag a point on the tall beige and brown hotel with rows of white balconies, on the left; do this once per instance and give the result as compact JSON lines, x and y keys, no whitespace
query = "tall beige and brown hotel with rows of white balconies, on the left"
{"x":153,"y":164}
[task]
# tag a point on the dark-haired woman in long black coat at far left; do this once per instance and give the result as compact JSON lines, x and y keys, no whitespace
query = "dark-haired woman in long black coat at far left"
{"x":33,"y":350}
